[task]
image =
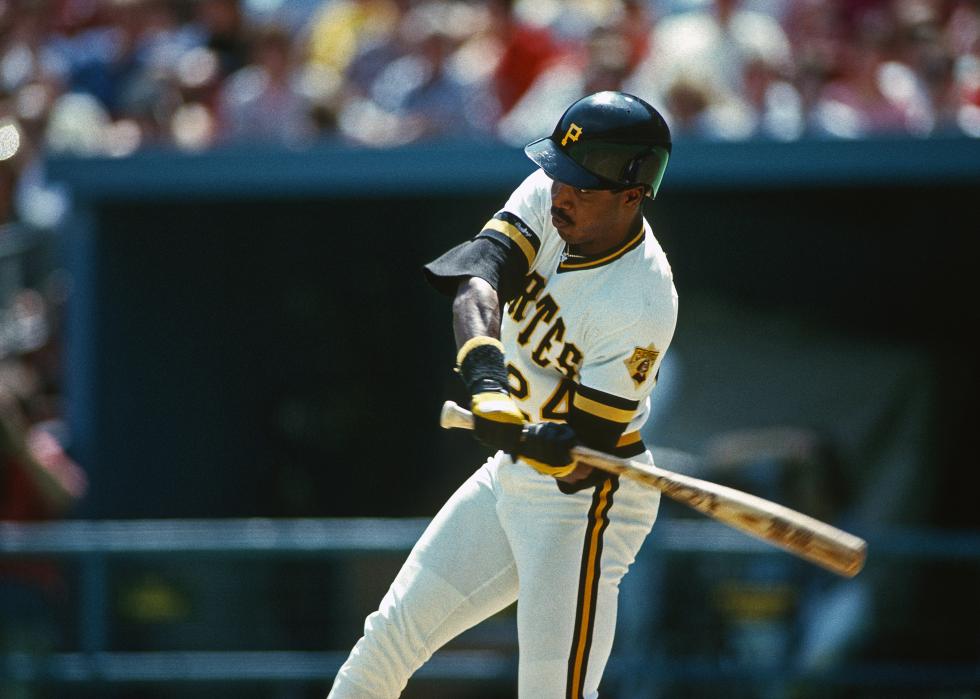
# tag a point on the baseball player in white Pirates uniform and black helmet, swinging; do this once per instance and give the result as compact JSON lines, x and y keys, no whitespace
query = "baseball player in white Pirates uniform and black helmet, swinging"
{"x":563,"y":307}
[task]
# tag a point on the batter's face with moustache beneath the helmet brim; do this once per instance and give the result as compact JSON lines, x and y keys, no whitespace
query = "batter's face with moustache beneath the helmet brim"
{"x":593,"y":220}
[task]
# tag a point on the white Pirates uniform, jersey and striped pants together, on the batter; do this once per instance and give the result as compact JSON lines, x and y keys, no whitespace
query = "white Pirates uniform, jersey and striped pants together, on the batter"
{"x":583,"y":337}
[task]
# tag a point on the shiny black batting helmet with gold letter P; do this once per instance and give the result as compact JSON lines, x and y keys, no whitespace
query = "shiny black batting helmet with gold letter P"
{"x":608,"y":140}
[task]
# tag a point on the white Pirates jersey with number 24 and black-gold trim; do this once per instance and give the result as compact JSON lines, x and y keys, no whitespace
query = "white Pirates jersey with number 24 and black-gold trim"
{"x":584,"y":331}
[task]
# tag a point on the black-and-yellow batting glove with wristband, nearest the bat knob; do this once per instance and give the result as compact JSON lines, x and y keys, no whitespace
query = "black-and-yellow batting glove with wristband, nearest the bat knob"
{"x":498,"y":422}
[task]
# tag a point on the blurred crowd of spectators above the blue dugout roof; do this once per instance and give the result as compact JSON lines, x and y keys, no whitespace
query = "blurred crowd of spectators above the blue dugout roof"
{"x":107,"y":77}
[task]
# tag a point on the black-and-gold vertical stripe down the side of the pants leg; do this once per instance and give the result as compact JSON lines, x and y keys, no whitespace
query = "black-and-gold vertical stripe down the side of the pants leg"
{"x":588,"y":591}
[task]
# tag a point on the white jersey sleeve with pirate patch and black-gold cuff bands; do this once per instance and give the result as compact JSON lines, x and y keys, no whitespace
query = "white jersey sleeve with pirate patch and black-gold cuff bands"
{"x":615,"y":382}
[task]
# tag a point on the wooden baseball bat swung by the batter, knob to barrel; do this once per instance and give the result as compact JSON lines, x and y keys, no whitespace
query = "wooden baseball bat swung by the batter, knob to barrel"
{"x":803,"y":536}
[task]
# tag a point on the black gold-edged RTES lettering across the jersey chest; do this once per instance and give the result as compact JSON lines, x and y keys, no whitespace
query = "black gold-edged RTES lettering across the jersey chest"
{"x":568,"y":358}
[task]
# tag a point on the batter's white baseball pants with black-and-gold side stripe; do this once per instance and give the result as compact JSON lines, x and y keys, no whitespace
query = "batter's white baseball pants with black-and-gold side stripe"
{"x":508,"y":533}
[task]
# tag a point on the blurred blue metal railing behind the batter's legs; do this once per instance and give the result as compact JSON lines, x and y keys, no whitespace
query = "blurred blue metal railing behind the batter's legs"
{"x":93,"y":545}
